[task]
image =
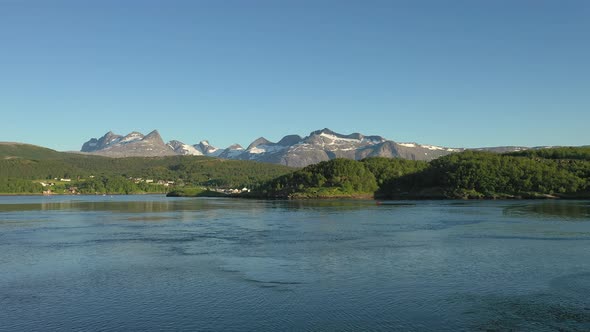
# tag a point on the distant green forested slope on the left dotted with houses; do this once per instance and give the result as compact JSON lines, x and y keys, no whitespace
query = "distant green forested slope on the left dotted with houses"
{"x":24,"y":167}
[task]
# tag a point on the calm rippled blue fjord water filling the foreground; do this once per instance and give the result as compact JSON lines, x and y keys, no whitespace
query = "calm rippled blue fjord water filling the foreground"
{"x":155,"y":263}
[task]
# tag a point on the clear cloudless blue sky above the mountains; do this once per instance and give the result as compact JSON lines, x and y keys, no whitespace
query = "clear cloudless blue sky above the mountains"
{"x":453,"y":73}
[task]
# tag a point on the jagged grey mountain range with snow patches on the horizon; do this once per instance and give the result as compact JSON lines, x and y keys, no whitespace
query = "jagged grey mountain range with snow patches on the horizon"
{"x":291,"y":150}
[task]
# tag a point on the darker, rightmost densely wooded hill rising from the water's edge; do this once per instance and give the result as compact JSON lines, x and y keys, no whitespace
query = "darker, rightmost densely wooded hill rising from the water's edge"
{"x":488,"y":175}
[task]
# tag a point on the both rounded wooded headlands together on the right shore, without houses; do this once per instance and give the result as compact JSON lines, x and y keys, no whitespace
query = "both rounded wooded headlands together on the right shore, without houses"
{"x":562,"y":172}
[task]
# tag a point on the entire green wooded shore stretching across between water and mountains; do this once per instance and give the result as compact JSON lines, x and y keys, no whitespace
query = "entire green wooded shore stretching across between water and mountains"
{"x":558,"y":172}
